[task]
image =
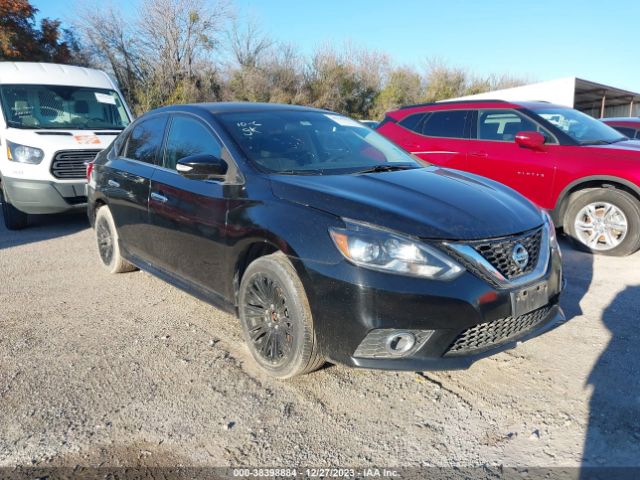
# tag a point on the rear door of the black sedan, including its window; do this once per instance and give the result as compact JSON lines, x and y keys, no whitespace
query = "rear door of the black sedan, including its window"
{"x":127,"y":181}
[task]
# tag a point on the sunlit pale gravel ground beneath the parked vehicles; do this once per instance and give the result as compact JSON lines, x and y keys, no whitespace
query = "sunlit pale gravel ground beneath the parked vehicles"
{"x":126,"y":370}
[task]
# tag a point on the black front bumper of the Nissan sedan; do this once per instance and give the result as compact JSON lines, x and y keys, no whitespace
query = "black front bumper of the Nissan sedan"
{"x":348,"y":303}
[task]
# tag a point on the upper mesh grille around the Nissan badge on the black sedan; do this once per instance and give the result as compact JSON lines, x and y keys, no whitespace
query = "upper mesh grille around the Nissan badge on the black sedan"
{"x":499,"y":253}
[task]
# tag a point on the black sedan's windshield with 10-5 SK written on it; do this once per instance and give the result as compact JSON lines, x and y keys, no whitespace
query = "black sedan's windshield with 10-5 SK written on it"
{"x":299,"y":142}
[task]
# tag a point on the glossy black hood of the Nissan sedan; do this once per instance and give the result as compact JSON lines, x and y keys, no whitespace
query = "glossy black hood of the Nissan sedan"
{"x":431,"y":202}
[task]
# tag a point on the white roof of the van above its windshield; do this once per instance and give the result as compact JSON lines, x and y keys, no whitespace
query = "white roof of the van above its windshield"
{"x":52,"y":74}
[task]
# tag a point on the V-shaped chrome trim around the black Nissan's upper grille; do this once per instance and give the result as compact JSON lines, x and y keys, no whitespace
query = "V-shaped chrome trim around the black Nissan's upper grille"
{"x":478,"y":261}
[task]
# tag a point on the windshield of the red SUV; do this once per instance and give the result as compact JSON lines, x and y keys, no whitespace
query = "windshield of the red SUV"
{"x":580,"y":126}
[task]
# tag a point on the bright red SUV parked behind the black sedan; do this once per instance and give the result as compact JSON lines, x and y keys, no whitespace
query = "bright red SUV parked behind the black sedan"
{"x":585,"y":173}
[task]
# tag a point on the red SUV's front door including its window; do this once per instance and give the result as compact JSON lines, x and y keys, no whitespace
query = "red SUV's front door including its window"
{"x":494,"y":153}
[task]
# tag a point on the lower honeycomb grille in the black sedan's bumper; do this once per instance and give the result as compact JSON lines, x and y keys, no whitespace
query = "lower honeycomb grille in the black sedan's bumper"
{"x":492,"y":334}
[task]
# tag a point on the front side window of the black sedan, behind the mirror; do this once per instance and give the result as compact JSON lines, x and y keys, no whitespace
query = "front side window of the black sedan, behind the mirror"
{"x":188,"y":136}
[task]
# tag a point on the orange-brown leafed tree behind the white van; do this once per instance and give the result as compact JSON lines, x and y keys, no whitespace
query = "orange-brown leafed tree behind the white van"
{"x":22,"y":40}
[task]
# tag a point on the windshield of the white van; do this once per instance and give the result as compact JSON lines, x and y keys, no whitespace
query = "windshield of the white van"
{"x":54,"y":106}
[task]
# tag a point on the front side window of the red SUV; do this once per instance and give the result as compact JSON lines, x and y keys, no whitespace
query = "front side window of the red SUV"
{"x":503,"y":125}
